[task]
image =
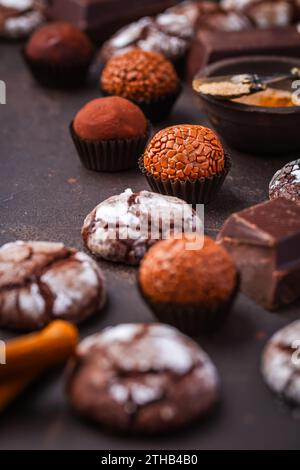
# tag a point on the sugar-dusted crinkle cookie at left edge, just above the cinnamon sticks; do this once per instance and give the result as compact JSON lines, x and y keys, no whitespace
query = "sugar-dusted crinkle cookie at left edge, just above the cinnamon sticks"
{"x":43,"y":281}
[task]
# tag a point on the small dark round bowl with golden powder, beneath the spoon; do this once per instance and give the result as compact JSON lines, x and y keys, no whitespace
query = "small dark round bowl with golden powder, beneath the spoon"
{"x":265,"y":122}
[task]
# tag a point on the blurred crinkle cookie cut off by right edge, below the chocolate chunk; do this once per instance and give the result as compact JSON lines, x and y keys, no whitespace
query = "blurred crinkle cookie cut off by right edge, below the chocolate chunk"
{"x":281,"y":363}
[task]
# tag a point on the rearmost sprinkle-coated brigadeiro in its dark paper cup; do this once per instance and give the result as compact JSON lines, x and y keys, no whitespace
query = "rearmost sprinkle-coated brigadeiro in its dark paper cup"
{"x":146,"y":78}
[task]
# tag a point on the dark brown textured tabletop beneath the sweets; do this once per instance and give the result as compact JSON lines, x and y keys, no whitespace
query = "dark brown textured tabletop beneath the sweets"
{"x":45,"y":194}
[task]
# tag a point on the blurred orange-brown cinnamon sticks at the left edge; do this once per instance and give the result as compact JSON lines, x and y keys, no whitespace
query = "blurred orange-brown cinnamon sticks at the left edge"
{"x":35,"y":352}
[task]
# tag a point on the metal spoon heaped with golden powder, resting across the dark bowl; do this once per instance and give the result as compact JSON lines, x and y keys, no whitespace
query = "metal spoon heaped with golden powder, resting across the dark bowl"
{"x":228,"y":87}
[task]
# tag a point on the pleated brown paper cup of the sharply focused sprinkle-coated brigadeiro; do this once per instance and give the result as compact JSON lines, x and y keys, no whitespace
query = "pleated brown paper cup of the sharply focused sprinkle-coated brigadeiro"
{"x":201,"y":191}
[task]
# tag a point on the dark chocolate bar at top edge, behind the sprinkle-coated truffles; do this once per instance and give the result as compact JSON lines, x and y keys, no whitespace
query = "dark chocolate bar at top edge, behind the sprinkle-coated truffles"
{"x":101,"y":18}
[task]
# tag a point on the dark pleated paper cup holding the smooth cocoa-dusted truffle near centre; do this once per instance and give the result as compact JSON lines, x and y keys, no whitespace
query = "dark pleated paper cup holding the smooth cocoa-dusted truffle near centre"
{"x":110,"y":155}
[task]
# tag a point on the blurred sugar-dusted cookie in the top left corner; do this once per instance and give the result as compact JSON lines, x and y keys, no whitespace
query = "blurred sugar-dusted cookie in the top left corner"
{"x":18,"y":18}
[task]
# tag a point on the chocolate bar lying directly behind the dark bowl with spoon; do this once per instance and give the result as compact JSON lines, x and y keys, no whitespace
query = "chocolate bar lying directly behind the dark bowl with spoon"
{"x":209,"y":46}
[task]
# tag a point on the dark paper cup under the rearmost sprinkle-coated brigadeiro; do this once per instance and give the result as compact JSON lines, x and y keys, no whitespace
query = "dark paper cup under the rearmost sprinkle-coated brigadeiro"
{"x":156,"y":110}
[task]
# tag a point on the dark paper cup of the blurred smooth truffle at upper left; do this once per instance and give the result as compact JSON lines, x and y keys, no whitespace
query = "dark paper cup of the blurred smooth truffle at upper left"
{"x":57,"y":76}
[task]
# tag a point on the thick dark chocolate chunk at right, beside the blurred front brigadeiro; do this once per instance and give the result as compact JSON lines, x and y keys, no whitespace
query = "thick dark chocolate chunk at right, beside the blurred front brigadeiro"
{"x":264,"y":241}
